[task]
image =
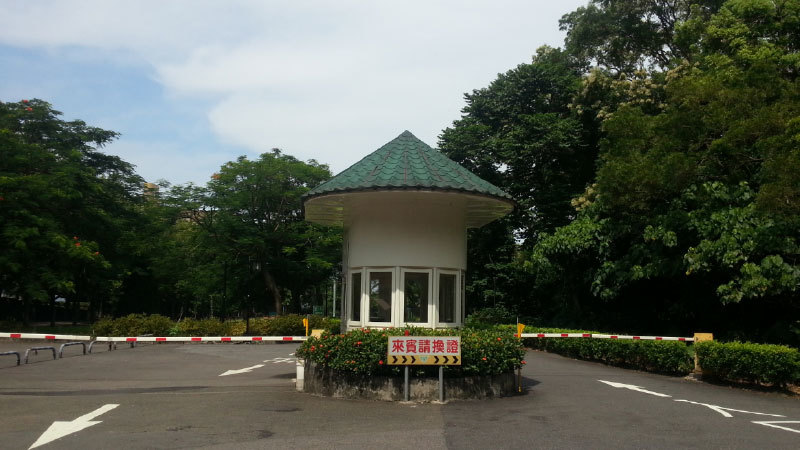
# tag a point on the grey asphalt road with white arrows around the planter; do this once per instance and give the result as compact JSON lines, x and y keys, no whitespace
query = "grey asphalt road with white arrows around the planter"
{"x":172,"y":396}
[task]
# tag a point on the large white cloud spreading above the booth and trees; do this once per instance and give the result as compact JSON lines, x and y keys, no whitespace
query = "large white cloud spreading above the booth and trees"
{"x":324,"y":80}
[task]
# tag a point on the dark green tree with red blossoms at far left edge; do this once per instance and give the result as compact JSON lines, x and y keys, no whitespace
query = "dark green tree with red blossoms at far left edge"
{"x":60,"y":200}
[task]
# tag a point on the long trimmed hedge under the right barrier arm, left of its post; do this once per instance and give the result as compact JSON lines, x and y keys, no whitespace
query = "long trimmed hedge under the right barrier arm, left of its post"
{"x":667,"y":357}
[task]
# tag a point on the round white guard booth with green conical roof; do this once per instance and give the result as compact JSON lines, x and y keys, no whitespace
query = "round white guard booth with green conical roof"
{"x":405,"y":210}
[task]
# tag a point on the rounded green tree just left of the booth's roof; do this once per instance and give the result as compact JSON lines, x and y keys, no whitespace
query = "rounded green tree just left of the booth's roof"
{"x":252,"y":211}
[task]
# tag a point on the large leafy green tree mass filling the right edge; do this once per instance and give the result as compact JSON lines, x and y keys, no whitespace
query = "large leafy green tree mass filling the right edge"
{"x":695,"y":201}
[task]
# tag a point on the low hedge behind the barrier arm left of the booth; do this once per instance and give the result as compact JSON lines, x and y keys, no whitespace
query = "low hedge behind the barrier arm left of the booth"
{"x":157,"y":325}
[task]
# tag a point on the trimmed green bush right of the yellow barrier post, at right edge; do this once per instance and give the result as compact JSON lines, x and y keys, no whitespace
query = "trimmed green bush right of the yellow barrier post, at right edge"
{"x":753,"y":363}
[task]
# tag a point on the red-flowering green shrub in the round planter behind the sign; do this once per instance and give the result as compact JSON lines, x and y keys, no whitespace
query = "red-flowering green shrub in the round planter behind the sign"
{"x":363,"y":351}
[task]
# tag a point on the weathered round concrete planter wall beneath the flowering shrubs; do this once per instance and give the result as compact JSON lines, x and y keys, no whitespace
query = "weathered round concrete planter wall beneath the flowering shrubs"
{"x":333,"y":383}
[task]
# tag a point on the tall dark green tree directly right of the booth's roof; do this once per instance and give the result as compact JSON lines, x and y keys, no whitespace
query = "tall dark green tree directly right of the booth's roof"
{"x":520,"y":134}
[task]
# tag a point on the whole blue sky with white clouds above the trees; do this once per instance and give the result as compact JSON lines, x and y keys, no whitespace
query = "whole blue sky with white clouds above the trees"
{"x":192,"y":84}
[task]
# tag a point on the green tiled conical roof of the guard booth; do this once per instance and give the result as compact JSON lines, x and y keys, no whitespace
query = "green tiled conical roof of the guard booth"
{"x":407,"y":163}
